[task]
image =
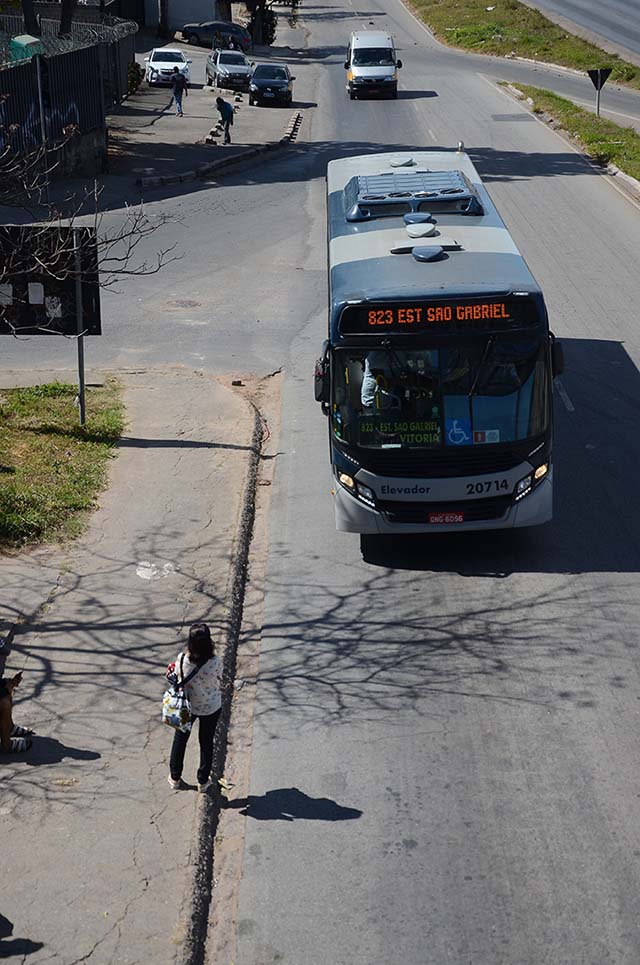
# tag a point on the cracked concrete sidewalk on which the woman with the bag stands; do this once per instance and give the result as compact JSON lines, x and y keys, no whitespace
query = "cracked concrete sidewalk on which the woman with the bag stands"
{"x":96,"y":848}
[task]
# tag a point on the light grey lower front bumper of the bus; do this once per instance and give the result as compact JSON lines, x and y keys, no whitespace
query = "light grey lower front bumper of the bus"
{"x":354,"y":516}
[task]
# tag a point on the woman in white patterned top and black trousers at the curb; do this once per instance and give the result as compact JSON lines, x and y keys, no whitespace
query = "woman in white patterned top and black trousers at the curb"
{"x":204,"y":668}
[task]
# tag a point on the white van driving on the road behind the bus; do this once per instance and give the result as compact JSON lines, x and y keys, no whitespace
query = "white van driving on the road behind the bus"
{"x":371,"y":64}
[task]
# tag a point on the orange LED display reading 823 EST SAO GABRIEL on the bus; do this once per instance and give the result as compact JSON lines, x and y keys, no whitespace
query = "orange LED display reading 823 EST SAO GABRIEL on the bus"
{"x":460,"y":315}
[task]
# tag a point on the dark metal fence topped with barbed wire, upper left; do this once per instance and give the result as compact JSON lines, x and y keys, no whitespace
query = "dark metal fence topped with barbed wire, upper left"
{"x":81,"y":78}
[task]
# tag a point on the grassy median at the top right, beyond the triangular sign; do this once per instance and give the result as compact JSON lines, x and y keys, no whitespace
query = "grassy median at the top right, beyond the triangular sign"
{"x":512,"y":28}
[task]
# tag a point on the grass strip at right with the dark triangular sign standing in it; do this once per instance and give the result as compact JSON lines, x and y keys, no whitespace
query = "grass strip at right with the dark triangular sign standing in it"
{"x":602,"y":139}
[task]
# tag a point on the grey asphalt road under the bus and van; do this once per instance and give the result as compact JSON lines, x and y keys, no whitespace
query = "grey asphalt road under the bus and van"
{"x":445,"y":748}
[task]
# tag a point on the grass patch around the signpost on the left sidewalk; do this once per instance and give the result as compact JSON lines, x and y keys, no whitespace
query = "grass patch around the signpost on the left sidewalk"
{"x":51,"y":468}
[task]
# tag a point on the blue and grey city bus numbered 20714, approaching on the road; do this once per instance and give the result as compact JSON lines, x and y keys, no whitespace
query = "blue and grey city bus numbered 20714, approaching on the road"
{"x":437,"y":374}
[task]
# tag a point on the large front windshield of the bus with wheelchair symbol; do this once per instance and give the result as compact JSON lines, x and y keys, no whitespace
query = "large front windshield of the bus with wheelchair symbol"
{"x":485,"y":391}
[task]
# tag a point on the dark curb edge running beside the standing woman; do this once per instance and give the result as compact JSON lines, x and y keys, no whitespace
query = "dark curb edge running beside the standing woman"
{"x":199,"y":889}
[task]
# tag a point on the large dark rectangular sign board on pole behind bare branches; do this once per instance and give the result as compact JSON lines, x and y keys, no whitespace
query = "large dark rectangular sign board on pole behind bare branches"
{"x":39,"y":265}
